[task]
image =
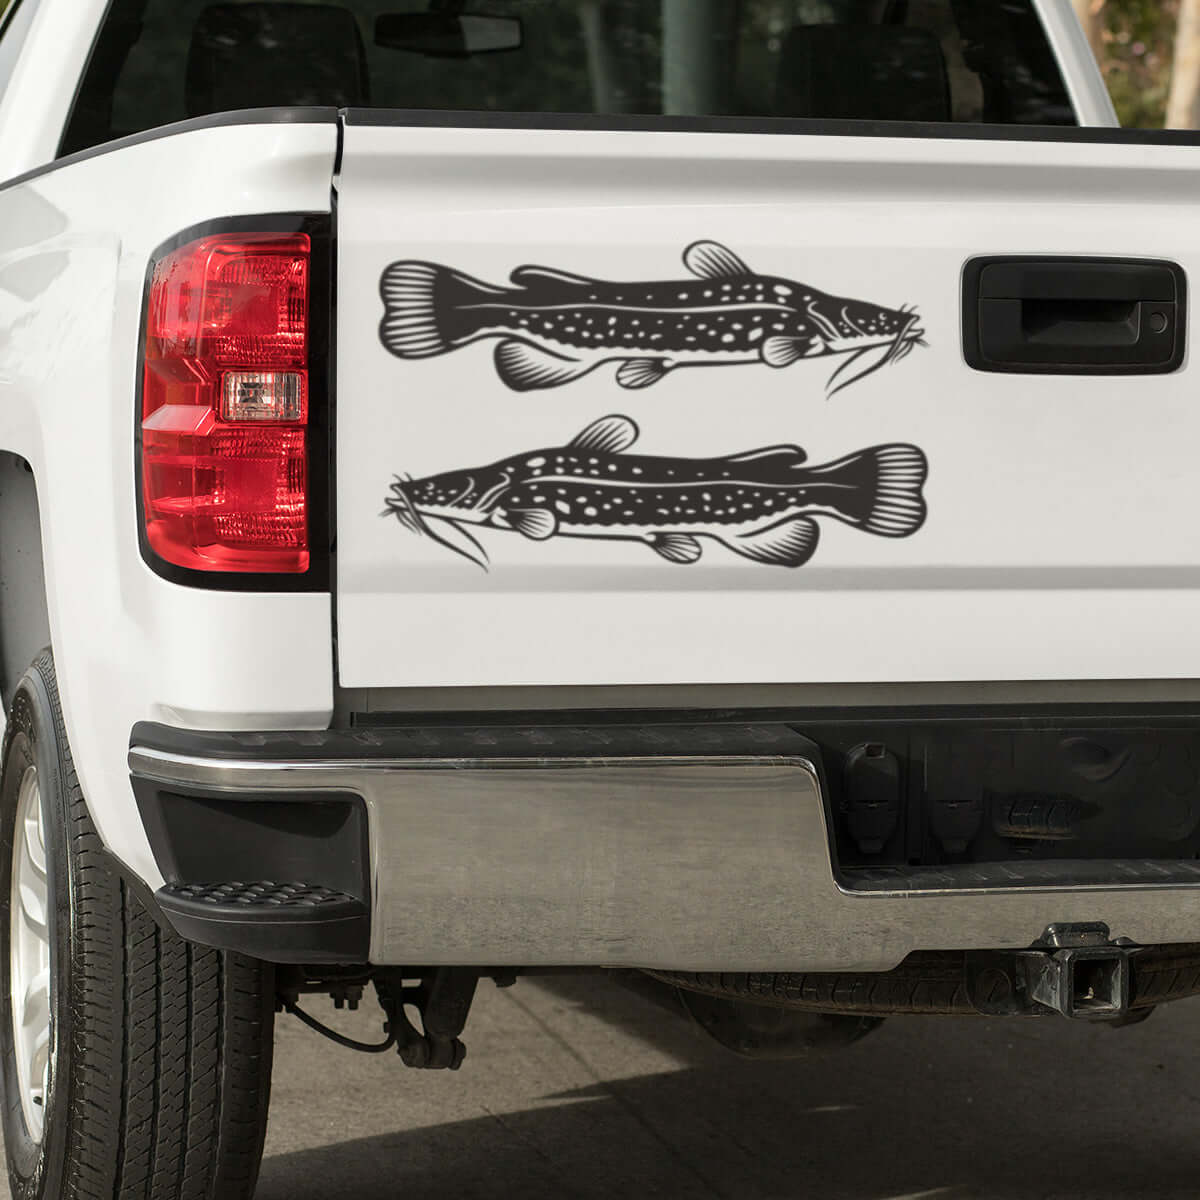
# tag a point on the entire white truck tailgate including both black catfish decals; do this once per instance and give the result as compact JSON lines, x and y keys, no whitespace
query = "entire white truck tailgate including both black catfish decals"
{"x":679,"y":407}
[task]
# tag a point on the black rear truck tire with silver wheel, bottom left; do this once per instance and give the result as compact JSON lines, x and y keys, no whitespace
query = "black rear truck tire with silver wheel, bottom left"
{"x":135,"y":1064}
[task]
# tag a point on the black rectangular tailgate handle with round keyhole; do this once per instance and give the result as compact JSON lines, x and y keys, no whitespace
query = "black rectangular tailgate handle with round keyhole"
{"x":1075,"y":316}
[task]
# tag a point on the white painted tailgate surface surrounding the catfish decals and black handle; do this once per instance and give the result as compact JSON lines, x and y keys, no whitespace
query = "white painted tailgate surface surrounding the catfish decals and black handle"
{"x":1059,"y":542}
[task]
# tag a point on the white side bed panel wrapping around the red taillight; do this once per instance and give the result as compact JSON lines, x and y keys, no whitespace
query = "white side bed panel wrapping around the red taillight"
{"x":129,"y":645}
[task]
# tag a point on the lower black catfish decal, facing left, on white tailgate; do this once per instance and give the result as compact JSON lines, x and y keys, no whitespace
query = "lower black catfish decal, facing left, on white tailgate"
{"x":763,"y":505}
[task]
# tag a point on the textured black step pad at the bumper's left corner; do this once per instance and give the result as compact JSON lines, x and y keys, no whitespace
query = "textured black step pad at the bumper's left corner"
{"x":278,"y":922}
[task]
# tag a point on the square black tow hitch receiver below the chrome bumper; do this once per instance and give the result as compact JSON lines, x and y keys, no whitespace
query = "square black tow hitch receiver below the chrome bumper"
{"x":1082,"y":973}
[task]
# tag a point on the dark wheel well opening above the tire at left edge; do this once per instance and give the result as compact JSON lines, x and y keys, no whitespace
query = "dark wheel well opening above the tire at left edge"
{"x":25,"y":620}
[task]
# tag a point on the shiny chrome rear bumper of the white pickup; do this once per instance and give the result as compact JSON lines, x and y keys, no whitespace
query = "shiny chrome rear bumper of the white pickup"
{"x":694,"y":862}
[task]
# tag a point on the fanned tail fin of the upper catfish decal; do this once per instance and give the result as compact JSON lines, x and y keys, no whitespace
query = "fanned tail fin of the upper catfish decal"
{"x":419,"y":303}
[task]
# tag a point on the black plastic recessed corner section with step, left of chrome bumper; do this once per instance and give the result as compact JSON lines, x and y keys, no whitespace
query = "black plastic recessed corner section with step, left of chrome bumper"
{"x":281,"y":880}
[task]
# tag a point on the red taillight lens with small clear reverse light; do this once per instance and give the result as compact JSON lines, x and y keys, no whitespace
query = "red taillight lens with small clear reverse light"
{"x":225,"y":405}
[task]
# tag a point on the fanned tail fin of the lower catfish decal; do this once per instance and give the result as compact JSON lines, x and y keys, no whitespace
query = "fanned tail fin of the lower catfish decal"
{"x":880,"y":490}
